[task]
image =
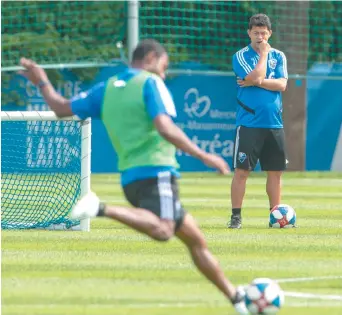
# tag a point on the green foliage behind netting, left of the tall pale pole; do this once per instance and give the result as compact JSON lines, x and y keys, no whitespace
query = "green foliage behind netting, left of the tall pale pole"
{"x":59,"y":32}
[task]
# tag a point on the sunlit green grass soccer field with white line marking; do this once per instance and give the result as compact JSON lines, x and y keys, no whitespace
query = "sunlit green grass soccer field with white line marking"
{"x":113,"y":270}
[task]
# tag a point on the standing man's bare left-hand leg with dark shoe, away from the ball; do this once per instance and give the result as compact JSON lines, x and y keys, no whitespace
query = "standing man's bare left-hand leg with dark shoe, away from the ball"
{"x":238,"y":189}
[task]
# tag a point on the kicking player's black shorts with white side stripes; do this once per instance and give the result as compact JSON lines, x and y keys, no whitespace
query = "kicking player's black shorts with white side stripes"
{"x":159,"y":195}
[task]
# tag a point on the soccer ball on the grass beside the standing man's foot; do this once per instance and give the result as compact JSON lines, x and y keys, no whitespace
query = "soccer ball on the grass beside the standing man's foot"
{"x":282,"y":216}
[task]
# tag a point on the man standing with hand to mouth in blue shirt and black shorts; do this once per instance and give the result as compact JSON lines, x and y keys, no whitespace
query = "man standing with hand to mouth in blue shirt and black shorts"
{"x":261,"y":77}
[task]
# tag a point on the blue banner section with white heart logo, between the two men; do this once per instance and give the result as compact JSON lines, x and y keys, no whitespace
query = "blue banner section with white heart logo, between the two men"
{"x":206,"y":113}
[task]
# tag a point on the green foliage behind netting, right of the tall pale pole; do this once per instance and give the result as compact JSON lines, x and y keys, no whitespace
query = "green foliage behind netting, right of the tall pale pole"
{"x":210,"y":32}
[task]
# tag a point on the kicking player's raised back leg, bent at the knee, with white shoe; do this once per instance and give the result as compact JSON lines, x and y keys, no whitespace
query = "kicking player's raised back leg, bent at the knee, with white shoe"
{"x":139,"y":219}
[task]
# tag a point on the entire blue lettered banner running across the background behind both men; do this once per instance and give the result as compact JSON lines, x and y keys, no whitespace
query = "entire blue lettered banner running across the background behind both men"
{"x":205,"y":112}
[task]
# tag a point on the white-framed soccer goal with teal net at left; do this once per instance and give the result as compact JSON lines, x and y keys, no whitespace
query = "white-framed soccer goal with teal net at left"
{"x":45,"y":168}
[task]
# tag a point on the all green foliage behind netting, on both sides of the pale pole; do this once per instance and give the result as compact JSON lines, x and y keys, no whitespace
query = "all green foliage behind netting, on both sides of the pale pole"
{"x":207,"y":32}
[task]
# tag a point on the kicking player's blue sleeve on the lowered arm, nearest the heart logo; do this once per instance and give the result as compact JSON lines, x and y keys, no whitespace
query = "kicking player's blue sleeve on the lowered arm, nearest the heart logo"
{"x":153,"y":99}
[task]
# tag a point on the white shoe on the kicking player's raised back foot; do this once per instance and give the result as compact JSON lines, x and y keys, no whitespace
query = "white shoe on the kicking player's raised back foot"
{"x":86,"y":207}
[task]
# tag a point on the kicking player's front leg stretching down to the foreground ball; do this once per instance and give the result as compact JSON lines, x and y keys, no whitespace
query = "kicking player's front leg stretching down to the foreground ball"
{"x":193,"y":238}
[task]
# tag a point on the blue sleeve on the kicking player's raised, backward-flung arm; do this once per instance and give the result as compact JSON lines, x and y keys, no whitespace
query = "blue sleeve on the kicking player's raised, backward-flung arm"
{"x":89,"y":103}
